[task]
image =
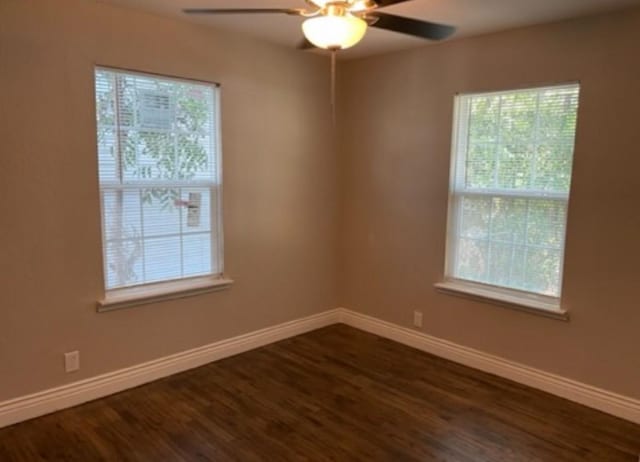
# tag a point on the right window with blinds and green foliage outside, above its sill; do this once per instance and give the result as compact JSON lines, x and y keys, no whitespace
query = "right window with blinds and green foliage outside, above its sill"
{"x":511,"y":174}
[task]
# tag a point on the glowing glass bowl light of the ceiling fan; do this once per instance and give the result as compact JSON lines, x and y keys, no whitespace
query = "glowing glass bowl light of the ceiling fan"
{"x":334,"y":32}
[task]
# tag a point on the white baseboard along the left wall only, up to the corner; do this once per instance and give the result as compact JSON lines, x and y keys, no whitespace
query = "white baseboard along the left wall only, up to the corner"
{"x":54,"y":399}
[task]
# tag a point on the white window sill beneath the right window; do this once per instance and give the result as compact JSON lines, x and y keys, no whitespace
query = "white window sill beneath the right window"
{"x":547,"y":306}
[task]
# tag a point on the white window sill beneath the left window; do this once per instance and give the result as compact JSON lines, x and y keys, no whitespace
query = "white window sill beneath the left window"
{"x":152,"y":293}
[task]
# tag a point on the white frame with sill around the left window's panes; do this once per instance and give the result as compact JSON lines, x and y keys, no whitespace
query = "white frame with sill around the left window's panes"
{"x":145,"y":293}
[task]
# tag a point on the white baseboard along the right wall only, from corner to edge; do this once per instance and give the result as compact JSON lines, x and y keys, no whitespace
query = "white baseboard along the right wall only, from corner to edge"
{"x":597,"y":398}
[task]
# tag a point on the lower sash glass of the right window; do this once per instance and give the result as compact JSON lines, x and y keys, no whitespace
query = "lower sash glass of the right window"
{"x":515,"y":230}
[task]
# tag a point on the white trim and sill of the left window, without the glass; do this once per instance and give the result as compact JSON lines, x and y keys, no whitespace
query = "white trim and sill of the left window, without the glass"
{"x":146,"y":293}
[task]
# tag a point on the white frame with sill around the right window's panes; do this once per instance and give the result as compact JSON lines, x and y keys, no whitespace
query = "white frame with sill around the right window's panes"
{"x":548,"y":306}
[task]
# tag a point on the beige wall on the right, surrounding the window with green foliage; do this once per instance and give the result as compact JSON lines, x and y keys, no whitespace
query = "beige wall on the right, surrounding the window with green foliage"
{"x":397,"y":115}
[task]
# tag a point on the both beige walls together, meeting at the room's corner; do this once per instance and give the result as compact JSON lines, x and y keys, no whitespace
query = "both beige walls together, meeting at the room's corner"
{"x":283,"y":202}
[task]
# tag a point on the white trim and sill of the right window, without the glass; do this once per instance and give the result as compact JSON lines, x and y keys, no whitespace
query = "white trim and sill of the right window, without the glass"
{"x":547,"y":306}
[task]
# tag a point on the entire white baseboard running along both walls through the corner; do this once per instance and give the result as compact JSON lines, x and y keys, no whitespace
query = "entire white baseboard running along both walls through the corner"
{"x":54,"y":399}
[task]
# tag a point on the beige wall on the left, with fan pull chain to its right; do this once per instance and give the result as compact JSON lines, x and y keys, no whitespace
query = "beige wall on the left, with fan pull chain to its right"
{"x":279,"y":197}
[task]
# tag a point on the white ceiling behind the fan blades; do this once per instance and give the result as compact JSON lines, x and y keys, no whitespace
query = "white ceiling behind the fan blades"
{"x":471,"y":17}
